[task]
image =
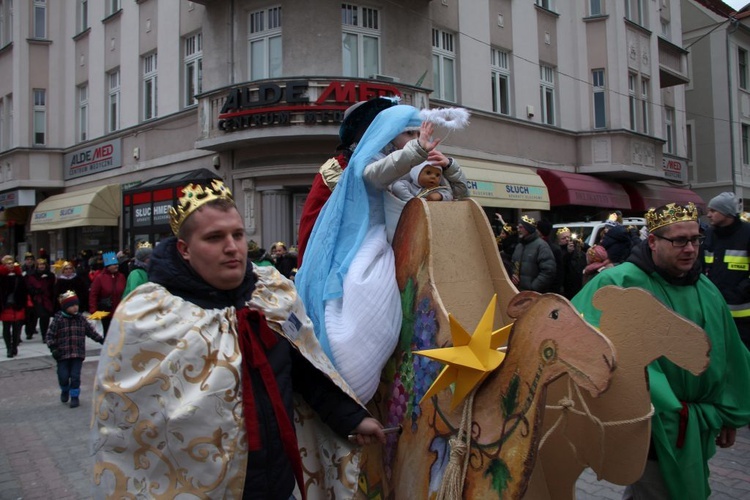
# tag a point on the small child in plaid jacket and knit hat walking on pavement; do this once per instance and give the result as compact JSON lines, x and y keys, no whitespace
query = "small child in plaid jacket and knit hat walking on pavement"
{"x":66,"y":339}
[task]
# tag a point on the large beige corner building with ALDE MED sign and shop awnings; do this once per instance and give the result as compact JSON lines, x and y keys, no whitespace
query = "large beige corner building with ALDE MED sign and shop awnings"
{"x":577,"y":107}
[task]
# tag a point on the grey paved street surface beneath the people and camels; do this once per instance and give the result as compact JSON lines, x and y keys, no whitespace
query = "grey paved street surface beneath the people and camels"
{"x":44,"y":444}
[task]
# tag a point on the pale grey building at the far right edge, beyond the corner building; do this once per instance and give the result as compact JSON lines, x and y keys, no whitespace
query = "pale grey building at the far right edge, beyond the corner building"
{"x":717,"y":98}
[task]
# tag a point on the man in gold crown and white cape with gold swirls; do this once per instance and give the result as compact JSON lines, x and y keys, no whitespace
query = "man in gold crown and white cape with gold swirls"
{"x":193,"y":393}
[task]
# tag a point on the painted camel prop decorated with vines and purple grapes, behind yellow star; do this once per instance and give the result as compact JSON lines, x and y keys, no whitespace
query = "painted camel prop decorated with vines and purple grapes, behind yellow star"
{"x":447,"y":260}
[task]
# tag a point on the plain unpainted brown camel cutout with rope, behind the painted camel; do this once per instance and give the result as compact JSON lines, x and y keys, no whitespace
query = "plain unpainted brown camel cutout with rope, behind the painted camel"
{"x":617,"y":425}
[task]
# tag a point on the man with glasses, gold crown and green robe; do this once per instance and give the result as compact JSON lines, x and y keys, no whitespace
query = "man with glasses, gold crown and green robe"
{"x":692,"y":414}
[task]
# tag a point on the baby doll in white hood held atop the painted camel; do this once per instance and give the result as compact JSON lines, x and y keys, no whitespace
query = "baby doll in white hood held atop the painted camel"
{"x":432,"y":182}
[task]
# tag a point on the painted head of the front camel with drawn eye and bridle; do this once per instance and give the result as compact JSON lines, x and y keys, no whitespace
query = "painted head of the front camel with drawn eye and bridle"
{"x":555,"y":335}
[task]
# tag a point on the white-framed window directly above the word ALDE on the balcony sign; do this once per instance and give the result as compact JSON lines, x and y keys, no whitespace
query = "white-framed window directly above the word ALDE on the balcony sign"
{"x":264,"y":44}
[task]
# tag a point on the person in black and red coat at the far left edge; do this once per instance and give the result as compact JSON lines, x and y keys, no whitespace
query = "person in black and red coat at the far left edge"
{"x":13,"y":299}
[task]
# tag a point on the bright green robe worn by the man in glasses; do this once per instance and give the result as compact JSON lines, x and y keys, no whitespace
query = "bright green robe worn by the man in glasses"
{"x":717,"y":398}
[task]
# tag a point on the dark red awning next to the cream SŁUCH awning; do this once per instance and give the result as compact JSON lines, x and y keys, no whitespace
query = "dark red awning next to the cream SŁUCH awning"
{"x":566,"y":188}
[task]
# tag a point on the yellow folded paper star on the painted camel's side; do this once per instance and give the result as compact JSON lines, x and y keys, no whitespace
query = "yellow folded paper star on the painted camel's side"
{"x":471,"y":358}
